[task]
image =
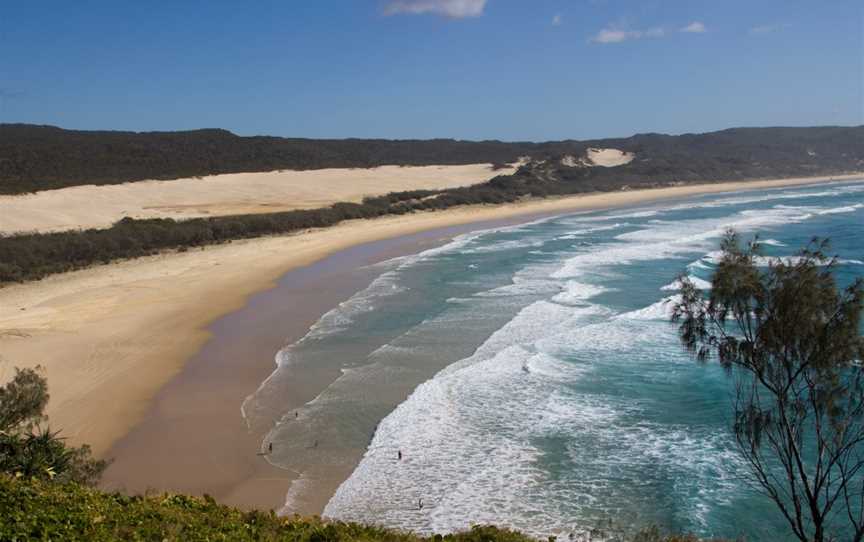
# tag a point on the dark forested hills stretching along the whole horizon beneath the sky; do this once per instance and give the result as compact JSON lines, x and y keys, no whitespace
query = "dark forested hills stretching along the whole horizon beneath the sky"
{"x":45,"y":157}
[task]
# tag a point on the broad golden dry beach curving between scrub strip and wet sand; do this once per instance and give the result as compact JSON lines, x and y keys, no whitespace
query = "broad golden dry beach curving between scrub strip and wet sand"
{"x":111,"y":337}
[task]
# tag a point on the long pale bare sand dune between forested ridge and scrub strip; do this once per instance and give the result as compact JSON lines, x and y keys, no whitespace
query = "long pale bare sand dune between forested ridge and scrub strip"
{"x":93,"y":206}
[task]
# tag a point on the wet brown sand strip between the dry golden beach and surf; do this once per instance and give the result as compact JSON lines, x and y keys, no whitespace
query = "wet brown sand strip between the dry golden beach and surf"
{"x":232,"y":365}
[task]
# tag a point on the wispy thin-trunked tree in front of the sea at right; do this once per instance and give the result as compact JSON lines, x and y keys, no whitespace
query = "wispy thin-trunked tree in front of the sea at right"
{"x":791,"y":341}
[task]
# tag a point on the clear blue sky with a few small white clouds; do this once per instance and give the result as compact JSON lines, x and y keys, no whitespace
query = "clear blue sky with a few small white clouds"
{"x":470,"y":69}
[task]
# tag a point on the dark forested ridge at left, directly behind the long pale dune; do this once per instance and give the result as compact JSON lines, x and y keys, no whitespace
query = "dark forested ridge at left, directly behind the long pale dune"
{"x":43,"y":157}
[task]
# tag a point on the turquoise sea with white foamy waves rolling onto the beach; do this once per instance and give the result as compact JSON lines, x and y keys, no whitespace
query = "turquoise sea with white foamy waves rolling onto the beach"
{"x":555,"y":396}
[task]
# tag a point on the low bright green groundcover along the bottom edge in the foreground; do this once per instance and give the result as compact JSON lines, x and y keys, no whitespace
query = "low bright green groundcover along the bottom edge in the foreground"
{"x":38,"y":510}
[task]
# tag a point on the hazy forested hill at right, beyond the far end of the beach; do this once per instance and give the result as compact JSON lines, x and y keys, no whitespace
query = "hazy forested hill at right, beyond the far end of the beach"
{"x":728,"y":155}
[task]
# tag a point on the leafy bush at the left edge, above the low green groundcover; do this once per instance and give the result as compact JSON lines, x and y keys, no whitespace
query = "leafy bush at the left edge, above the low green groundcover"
{"x":29,"y":450}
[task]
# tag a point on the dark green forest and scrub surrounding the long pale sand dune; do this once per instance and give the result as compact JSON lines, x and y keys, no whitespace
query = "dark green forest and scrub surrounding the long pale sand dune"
{"x":41,"y":157}
